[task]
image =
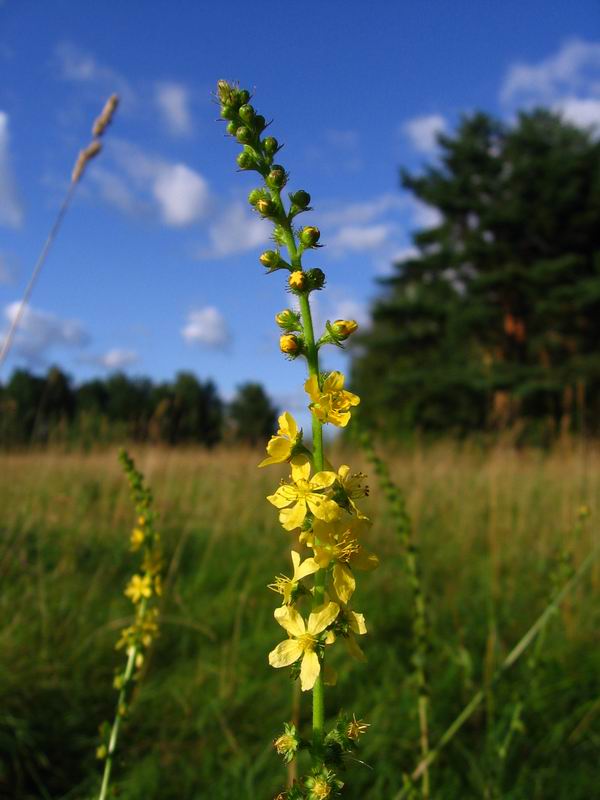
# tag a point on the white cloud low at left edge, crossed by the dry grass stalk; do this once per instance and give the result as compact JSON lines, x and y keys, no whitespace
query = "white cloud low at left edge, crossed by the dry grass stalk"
{"x":39,"y":332}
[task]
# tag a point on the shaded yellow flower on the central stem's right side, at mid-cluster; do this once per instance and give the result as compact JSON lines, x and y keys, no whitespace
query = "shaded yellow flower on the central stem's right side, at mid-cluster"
{"x":337,"y":541}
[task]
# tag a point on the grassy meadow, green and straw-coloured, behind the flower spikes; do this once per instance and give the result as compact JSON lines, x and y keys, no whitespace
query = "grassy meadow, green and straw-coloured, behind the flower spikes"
{"x":496,"y":530}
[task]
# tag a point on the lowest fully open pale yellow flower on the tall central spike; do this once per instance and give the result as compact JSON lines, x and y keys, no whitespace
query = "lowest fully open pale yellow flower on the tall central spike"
{"x":303,"y":640}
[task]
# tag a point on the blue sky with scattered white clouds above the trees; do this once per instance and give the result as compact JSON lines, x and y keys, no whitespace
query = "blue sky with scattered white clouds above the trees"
{"x":156,"y":268}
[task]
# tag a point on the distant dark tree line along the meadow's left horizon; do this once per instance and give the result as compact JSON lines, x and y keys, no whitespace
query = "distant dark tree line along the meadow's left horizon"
{"x":42,"y":409}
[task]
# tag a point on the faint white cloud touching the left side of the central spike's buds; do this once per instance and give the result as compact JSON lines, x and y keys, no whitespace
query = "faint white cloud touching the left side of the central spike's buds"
{"x":236,"y":230}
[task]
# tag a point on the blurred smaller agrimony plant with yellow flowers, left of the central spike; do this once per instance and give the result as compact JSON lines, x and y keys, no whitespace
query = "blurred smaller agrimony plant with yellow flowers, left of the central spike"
{"x":143,"y":589}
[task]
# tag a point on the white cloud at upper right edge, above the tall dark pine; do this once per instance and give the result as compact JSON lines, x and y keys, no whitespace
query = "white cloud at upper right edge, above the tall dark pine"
{"x":566,"y":72}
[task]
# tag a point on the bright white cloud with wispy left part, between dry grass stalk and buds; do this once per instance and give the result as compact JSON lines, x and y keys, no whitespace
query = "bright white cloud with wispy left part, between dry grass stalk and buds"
{"x":177,"y":192}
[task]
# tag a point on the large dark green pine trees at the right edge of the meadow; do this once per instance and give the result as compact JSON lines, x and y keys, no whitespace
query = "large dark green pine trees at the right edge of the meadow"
{"x":496,"y":318}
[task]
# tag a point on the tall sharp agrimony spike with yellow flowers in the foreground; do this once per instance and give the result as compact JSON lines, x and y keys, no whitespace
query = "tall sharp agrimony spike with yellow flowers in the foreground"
{"x":318,"y":504}
